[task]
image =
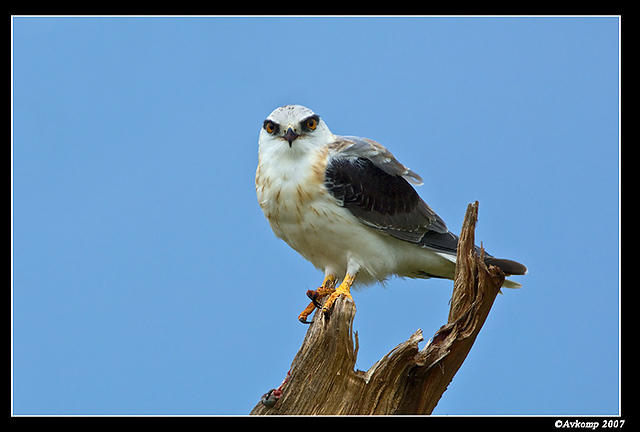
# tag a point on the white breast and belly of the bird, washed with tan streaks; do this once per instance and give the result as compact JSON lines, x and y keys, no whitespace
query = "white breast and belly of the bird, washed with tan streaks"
{"x":291,"y":192}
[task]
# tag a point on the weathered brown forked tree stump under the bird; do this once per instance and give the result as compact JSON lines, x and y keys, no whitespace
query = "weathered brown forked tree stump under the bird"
{"x":322,"y":379}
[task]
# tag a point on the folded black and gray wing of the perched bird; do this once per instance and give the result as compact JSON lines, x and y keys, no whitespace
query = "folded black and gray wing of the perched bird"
{"x":367,"y":180}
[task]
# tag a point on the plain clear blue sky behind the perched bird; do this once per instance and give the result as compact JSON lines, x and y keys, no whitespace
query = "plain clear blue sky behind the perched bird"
{"x":147,"y":281}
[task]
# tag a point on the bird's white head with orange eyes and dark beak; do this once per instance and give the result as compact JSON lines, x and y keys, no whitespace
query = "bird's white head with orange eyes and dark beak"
{"x":293,"y":130}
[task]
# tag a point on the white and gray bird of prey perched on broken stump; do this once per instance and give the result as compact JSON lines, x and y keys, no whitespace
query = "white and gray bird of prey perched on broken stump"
{"x":347,"y":205}
